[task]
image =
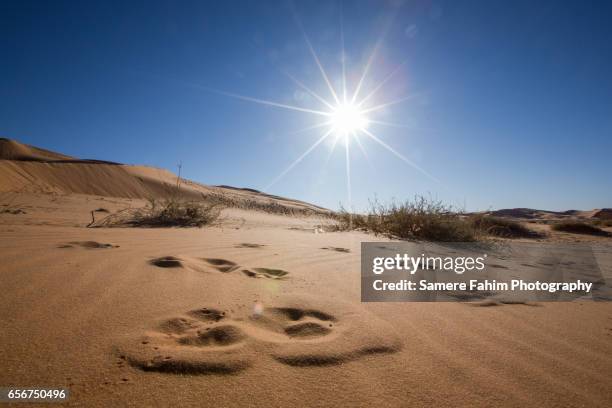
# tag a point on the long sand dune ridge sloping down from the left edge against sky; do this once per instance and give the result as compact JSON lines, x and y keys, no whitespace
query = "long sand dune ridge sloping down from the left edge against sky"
{"x":25,"y":168}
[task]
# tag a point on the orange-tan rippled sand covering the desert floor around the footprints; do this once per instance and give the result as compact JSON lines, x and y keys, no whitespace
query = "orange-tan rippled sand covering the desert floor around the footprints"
{"x":256,"y":310}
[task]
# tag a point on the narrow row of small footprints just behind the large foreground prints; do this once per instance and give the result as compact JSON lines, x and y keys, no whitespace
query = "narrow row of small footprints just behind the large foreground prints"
{"x":220,"y":265}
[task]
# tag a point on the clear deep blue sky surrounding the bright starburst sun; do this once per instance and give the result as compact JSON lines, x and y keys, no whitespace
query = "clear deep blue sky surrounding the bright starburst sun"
{"x":511,"y":102}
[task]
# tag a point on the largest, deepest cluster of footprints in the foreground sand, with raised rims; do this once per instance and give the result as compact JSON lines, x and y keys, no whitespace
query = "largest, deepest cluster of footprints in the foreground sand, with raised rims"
{"x":213,"y":341}
